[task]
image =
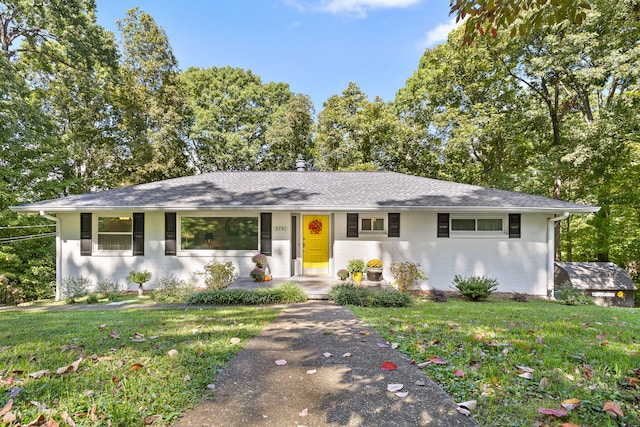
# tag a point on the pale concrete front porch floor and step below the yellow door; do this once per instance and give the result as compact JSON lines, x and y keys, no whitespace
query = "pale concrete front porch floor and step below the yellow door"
{"x":317,"y":288}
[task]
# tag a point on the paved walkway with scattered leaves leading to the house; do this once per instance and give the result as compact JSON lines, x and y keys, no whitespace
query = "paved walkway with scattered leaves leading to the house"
{"x":332,"y":377}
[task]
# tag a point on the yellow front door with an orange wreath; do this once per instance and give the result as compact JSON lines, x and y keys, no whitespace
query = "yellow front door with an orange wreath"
{"x":315,"y":253}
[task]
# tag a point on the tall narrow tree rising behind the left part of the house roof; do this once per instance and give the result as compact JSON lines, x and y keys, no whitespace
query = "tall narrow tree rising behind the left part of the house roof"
{"x":152,"y":107}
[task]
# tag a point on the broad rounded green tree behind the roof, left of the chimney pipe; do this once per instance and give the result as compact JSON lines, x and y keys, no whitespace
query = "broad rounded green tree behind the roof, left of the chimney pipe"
{"x":233,"y":111}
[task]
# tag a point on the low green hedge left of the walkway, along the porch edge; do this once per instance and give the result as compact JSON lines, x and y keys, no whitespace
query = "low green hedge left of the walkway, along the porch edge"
{"x":286,"y":293}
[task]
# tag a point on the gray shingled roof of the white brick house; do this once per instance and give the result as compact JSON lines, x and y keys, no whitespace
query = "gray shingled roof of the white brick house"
{"x":311,"y":191}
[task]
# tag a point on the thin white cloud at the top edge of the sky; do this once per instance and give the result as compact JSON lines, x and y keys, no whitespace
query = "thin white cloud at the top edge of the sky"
{"x":358,"y":8}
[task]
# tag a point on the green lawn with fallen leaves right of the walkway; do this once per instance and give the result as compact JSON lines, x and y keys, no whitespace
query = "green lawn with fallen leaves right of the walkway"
{"x":587,"y":352}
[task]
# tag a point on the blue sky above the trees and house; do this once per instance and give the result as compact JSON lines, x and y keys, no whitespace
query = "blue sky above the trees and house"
{"x":316,"y":46}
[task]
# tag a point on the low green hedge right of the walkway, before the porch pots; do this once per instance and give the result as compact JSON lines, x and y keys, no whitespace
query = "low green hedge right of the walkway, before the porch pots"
{"x":350,"y":294}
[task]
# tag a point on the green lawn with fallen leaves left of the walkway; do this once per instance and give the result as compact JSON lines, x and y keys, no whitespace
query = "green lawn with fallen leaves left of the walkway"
{"x":119,"y":382}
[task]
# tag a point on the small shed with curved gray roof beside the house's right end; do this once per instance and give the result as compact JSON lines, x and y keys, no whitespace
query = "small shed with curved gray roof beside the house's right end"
{"x":609,"y":284}
